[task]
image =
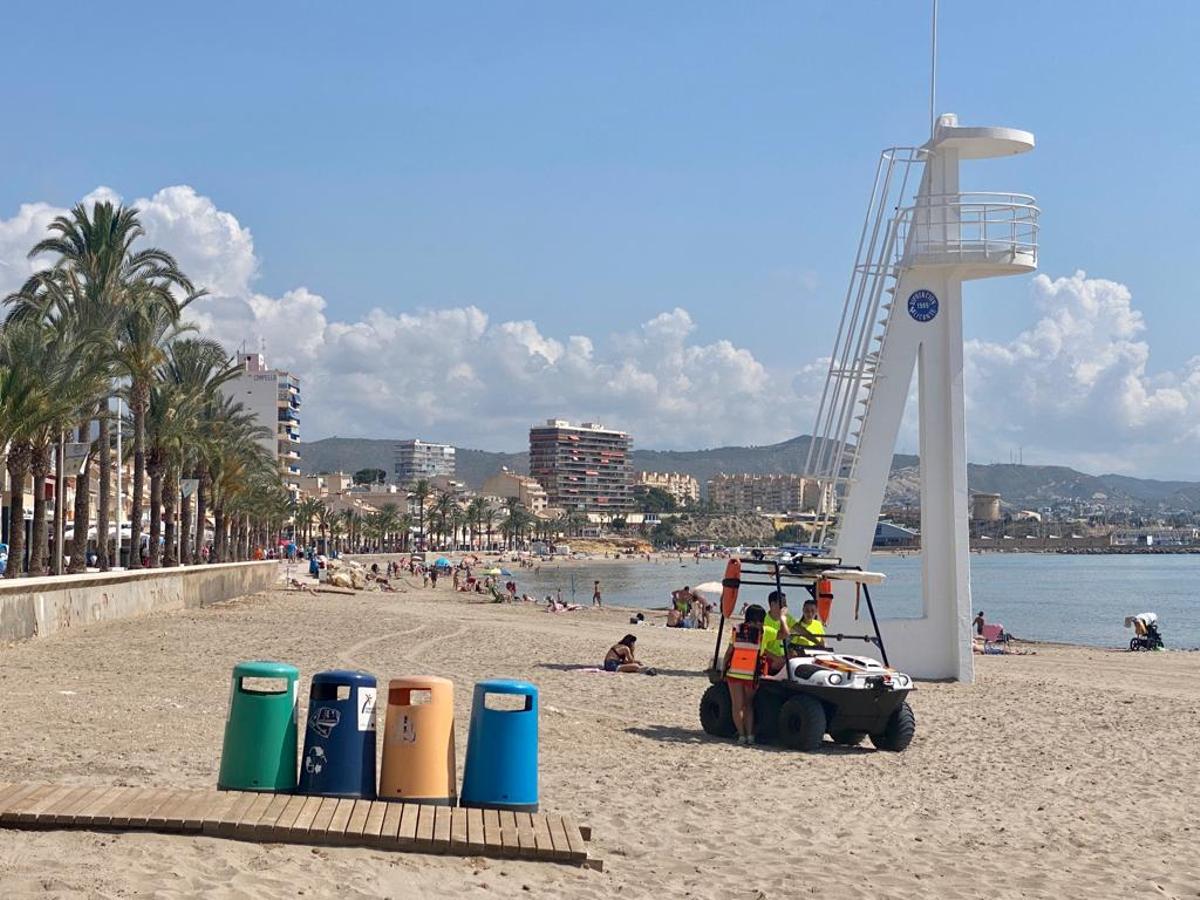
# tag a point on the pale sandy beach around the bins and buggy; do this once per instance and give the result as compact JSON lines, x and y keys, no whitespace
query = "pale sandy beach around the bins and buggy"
{"x":1071,"y":773}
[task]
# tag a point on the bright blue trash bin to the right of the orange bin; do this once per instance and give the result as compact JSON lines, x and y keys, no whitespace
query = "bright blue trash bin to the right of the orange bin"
{"x":502,"y":751}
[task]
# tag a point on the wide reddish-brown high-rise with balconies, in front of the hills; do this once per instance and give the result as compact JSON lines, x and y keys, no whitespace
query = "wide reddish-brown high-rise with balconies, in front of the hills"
{"x":583,"y":467}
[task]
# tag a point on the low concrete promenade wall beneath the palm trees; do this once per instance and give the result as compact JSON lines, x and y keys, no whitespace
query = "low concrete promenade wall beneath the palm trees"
{"x":35,"y":608}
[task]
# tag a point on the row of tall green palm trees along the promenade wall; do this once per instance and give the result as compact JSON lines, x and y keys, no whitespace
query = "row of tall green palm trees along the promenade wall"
{"x":105,"y":320}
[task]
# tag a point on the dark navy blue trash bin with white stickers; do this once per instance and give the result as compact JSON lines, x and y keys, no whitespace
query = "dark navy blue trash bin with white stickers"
{"x":340,"y":739}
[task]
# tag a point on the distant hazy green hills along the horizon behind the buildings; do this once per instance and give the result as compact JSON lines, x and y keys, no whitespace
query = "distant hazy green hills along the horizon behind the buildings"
{"x":1019,"y":485}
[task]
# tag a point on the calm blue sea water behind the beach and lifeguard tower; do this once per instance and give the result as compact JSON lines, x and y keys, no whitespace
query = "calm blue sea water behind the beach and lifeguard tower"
{"x":1042,"y":597}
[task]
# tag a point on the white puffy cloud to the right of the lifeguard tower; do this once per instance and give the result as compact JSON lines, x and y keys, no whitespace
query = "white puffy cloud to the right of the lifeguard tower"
{"x":1076,"y":387}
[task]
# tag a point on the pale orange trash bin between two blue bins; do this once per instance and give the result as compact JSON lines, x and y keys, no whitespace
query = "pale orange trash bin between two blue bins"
{"x":418,"y":743}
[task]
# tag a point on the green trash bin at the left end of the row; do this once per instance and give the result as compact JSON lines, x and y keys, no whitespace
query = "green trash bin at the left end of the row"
{"x":260,"y":751}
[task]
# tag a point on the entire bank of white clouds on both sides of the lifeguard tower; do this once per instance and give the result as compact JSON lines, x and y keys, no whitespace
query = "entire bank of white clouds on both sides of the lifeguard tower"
{"x":1073,"y":388}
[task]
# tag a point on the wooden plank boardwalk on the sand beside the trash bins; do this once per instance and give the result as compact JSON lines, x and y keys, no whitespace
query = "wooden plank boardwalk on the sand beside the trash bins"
{"x":296,"y":819}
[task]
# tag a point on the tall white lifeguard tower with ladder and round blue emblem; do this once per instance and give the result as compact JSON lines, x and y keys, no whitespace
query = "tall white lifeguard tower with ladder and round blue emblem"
{"x":904,"y":310}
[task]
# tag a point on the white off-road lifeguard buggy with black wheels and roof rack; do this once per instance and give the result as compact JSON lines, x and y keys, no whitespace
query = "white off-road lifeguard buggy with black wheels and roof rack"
{"x":819,"y":691}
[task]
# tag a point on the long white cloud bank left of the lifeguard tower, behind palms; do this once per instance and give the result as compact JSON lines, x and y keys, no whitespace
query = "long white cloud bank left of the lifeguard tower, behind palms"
{"x":447,"y":374}
